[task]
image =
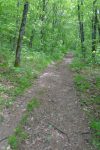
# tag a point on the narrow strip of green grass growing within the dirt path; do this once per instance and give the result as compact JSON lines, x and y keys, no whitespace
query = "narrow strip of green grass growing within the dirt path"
{"x":20,"y":135}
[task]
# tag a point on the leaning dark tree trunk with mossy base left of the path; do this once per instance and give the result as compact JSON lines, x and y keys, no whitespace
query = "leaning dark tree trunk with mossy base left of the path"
{"x":21,"y":33}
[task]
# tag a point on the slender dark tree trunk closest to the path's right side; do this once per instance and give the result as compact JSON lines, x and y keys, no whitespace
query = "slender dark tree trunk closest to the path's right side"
{"x":81,"y":26}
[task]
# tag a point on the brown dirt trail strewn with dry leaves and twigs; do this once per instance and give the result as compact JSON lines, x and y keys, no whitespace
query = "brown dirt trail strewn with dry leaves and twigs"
{"x":58,"y":123}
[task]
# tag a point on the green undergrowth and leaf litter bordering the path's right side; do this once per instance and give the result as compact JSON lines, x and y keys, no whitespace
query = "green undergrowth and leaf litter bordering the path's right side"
{"x":87,"y":83}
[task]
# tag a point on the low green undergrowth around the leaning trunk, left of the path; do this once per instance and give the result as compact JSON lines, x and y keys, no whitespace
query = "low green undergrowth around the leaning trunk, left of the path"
{"x":13,"y":81}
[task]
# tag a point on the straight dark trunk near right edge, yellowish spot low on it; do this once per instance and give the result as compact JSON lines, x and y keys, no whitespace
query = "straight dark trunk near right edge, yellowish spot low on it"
{"x":94,"y":30}
